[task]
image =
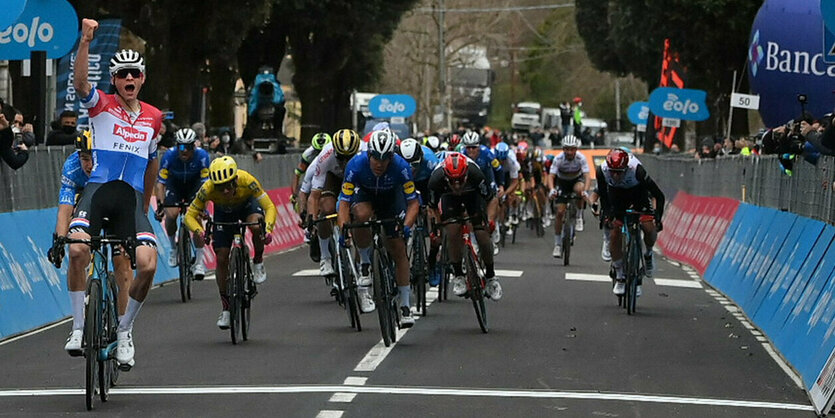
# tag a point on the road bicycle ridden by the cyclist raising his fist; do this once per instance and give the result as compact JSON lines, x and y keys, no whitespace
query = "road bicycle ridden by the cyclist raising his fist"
{"x":101,"y":316}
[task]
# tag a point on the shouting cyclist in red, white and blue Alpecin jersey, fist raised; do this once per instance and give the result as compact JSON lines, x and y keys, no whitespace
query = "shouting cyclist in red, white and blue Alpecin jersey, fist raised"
{"x":121,"y":183}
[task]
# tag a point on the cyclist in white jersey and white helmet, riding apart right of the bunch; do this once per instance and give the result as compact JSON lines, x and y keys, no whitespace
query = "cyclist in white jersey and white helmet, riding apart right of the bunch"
{"x":569,"y":173}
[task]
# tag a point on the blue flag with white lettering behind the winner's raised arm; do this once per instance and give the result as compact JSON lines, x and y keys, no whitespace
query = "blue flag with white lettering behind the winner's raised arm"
{"x":102,"y":48}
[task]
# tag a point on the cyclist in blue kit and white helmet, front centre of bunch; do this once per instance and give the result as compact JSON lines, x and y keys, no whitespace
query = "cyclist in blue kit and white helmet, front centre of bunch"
{"x":379,"y":182}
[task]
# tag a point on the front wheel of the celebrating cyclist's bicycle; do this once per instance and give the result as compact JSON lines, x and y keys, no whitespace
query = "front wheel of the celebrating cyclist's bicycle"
{"x":92,"y":338}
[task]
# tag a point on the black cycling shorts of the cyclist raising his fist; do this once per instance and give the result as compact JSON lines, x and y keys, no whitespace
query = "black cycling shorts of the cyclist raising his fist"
{"x":121,"y":204}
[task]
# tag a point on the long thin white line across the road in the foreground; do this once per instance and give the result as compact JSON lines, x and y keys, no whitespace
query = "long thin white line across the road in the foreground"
{"x":411,"y":391}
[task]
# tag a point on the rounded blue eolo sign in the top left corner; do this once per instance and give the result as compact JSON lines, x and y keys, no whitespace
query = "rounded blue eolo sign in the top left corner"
{"x":44,"y":25}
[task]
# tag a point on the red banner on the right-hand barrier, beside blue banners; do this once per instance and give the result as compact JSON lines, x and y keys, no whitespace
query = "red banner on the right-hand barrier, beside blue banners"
{"x":694,"y":226}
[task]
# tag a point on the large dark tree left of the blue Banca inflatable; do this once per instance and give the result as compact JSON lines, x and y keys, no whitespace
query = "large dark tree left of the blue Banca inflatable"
{"x":710,"y":36}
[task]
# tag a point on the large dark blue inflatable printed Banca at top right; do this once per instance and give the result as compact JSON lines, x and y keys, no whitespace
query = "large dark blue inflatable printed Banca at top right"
{"x":785,"y":59}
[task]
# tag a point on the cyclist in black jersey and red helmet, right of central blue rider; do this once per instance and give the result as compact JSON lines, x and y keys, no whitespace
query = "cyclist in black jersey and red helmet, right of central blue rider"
{"x":459,"y":185}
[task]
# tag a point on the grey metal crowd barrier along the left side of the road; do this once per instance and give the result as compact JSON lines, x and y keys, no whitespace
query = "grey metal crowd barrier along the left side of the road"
{"x":36,"y":184}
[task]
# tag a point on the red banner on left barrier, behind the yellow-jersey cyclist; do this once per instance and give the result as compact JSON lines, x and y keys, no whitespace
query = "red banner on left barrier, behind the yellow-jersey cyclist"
{"x":286,"y":234}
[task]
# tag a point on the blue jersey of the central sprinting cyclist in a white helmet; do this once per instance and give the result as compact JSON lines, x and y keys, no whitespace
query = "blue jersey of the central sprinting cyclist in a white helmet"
{"x":358,"y":175}
